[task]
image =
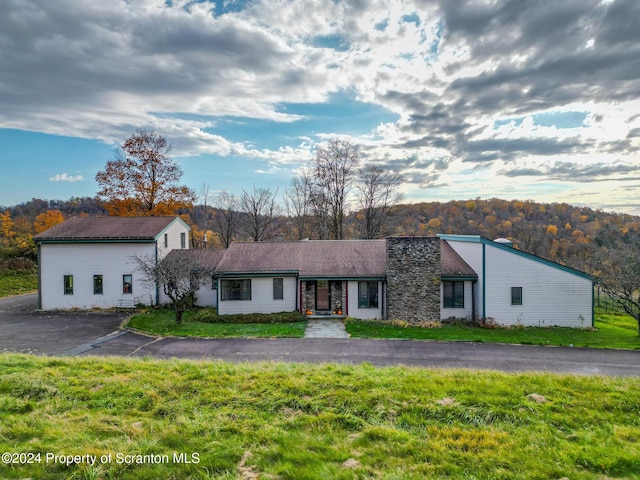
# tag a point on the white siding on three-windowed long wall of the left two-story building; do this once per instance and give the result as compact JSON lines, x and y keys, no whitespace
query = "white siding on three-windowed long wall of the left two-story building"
{"x":83,"y":261}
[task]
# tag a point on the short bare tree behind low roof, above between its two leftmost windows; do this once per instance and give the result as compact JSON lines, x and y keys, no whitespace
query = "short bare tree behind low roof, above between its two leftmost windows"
{"x":259,"y":208}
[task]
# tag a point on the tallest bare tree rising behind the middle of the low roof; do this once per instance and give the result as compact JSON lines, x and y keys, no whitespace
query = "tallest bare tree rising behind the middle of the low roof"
{"x":334,"y":171}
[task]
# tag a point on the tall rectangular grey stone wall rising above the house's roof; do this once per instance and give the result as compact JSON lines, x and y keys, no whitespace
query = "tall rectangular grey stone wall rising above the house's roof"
{"x":413,"y":279}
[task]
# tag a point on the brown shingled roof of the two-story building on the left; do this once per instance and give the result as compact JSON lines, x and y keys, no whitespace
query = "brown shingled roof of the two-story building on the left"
{"x":106,"y":228}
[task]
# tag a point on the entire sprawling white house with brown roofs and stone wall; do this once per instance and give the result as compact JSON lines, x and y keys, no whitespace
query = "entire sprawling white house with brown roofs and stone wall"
{"x":88,"y":263}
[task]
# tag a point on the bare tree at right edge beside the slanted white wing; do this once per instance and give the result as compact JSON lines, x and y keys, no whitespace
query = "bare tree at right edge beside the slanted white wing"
{"x":618,"y":272}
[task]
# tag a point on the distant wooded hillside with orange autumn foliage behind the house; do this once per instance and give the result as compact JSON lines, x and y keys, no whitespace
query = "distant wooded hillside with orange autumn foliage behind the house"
{"x":558,"y":231}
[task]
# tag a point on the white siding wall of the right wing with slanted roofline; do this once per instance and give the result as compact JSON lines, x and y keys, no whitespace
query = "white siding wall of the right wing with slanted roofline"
{"x":551,"y":296}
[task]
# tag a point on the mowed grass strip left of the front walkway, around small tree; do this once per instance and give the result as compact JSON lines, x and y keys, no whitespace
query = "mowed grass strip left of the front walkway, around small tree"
{"x":162,"y":322}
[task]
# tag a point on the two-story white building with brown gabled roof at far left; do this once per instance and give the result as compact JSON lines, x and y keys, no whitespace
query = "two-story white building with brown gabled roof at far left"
{"x":89,"y":262}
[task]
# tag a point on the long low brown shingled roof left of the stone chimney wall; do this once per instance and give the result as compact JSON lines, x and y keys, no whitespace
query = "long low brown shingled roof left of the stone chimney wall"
{"x":308,"y":258}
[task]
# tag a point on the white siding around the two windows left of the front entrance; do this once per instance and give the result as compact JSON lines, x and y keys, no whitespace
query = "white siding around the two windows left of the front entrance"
{"x":262,"y":298}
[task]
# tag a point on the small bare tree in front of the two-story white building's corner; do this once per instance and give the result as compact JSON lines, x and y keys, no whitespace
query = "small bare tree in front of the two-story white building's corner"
{"x":179,"y":274}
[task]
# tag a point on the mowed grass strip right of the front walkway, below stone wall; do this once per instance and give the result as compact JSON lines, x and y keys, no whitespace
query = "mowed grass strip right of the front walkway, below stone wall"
{"x":611,"y":331}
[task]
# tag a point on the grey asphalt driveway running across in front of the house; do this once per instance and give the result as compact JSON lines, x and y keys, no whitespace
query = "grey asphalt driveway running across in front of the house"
{"x":24,"y":330}
